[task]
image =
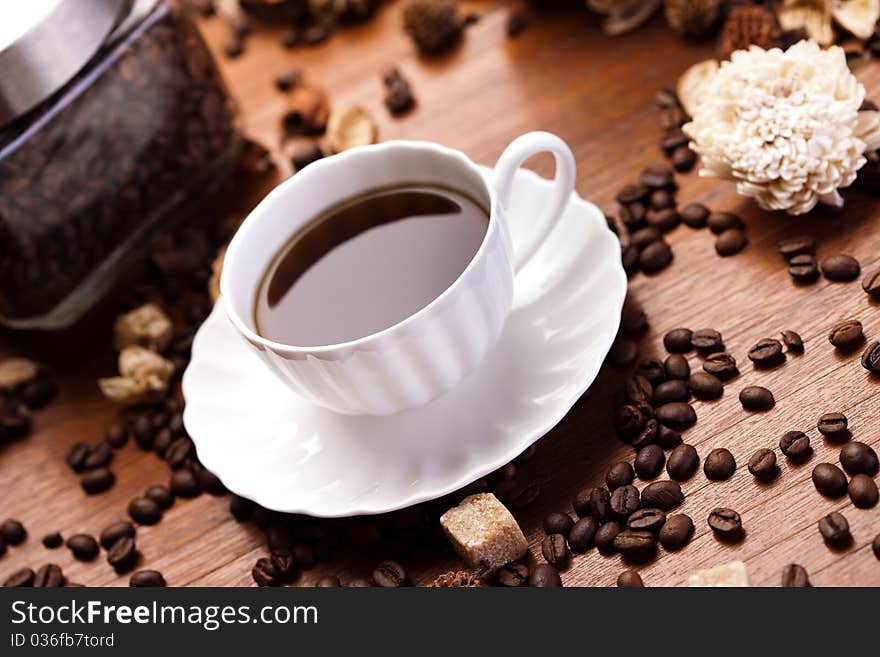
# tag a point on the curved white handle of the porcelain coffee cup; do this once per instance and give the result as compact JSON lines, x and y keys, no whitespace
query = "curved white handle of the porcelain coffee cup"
{"x":519,"y":150}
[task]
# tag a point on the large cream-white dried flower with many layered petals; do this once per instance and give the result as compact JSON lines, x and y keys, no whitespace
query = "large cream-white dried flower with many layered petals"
{"x":785,"y":126}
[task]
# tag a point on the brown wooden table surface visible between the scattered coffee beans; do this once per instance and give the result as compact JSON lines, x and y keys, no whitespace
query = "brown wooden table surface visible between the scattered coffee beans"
{"x":597,"y":93}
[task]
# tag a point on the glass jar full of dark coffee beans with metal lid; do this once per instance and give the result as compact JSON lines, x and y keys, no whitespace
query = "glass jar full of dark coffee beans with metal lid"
{"x":91,"y":170}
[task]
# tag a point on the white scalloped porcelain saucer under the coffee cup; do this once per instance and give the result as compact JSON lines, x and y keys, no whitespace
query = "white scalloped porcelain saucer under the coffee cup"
{"x":268,"y":445}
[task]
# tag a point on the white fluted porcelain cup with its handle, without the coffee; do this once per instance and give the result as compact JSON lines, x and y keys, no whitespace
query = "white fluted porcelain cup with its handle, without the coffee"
{"x":426,"y":354}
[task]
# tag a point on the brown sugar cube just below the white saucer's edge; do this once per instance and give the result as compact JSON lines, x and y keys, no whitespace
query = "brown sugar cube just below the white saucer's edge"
{"x":483,"y":532}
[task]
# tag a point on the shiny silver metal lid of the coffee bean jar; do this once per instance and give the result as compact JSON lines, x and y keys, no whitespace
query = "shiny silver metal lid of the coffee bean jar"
{"x":44,"y":43}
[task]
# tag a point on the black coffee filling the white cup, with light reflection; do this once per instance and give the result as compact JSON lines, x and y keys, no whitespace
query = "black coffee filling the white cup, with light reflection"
{"x":368,"y":263}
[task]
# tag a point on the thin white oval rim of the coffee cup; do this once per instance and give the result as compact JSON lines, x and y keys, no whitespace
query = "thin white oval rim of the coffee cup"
{"x":282,"y":189}
